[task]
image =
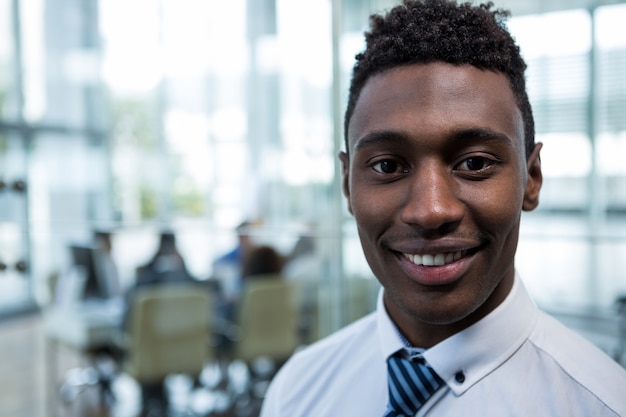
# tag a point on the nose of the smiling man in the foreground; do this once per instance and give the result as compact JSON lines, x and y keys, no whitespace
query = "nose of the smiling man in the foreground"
{"x":432,"y":203}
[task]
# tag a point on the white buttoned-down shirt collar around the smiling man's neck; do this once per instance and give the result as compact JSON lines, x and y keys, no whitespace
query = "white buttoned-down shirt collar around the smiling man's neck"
{"x":477,"y":350}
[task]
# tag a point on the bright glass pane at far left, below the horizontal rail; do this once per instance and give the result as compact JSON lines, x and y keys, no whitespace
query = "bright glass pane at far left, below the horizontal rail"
{"x":69,"y":177}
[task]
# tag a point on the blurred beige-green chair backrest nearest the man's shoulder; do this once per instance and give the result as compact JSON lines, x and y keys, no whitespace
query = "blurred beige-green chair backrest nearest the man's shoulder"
{"x":268,"y":318}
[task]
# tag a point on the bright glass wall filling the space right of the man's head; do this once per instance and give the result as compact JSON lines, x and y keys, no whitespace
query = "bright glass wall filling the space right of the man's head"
{"x":571,"y":246}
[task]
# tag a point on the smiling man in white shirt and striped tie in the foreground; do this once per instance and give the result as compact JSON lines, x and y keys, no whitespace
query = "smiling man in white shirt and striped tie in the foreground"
{"x":440,"y":161}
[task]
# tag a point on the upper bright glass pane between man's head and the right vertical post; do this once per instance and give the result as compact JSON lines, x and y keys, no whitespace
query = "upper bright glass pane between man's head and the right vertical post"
{"x":559,"y":77}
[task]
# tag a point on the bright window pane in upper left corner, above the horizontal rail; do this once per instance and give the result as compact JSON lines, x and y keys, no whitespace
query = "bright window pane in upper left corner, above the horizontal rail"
{"x":60,"y":58}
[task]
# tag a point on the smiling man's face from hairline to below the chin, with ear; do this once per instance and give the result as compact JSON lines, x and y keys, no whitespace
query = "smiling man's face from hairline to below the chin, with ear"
{"x":436,"y":180}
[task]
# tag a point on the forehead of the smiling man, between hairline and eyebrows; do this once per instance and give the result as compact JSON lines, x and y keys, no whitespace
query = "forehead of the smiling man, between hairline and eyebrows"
{"x":436,"y":99}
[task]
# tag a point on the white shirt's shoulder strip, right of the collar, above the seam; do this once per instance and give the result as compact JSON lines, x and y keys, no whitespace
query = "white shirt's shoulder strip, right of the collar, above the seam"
{"x":583,"y":363}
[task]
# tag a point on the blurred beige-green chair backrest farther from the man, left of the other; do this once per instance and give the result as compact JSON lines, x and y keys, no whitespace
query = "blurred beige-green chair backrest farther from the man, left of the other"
{"x":168,"y":332}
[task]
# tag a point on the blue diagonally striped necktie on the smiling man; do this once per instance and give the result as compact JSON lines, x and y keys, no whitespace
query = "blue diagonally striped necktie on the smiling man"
{"x":411,"y":383}
